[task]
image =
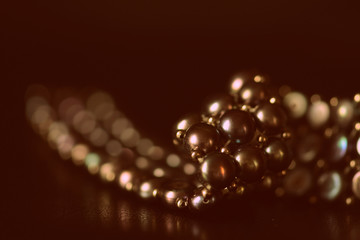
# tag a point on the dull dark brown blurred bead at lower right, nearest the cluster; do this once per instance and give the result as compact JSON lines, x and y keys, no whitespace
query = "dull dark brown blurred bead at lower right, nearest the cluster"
{"x":298,"y":182}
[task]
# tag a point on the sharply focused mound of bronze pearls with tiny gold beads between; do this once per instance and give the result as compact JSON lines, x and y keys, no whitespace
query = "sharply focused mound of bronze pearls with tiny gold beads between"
{"x":239,"y":140}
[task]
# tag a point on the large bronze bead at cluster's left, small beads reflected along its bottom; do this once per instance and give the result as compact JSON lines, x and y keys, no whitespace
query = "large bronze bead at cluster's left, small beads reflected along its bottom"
{"x":202,"y":138}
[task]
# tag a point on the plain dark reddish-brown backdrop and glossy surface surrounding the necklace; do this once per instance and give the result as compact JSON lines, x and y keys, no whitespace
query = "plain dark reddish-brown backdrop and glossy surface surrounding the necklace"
{"x":159,"y":61}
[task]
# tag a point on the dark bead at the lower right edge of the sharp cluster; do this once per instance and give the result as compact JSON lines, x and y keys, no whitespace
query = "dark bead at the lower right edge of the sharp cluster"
{"x":278,"y":155}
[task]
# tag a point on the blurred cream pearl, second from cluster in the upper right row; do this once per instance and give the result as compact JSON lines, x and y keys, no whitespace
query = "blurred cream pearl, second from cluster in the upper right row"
{"x":318,"y":114}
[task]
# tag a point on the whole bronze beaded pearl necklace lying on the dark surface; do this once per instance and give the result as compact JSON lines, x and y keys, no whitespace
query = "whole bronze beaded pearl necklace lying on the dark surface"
{"x":255,"y":138}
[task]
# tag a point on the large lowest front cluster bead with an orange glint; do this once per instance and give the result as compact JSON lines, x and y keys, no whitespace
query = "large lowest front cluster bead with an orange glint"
{"x":218,"y":169}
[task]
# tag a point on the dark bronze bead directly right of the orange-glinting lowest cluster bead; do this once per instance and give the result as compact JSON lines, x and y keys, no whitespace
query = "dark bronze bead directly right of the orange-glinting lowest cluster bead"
{"x":252,"y":163}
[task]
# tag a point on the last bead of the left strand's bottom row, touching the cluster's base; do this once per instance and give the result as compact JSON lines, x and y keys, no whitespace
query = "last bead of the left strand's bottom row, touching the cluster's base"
{"x":175,"y":192}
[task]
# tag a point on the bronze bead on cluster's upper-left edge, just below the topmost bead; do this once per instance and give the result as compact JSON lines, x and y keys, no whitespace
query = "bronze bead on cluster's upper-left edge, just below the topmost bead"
{"x":218,"y":104}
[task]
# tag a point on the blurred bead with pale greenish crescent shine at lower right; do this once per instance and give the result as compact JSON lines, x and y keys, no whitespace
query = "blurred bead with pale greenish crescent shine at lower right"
{"x":330,"y":185}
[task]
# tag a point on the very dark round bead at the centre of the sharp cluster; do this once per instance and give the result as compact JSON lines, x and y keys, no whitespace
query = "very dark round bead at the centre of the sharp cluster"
{"x":238,"y":125}
